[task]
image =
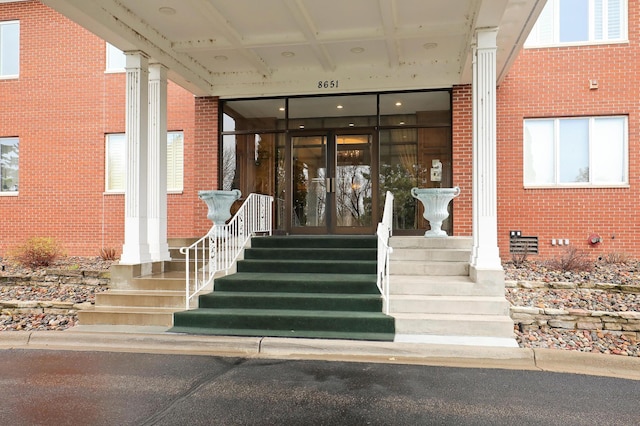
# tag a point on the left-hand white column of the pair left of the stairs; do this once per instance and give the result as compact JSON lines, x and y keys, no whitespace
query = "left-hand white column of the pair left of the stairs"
{"x":136,"y":246}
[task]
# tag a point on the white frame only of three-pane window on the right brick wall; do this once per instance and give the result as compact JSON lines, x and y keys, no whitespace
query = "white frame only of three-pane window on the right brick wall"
{"x":556,"y":155}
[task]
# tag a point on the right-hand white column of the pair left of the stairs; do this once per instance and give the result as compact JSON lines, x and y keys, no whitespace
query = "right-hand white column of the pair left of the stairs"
{"x":157,"y":176}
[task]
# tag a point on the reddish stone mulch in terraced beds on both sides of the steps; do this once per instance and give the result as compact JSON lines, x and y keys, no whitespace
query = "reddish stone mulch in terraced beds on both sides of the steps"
{"x":608,"y":287}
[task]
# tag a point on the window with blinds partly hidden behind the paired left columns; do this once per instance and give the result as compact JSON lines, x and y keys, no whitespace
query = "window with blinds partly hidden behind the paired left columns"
{"x":116,"y":154}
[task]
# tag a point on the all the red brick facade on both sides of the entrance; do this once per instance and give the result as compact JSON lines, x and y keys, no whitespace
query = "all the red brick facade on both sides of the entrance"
{"x":63,"y":104}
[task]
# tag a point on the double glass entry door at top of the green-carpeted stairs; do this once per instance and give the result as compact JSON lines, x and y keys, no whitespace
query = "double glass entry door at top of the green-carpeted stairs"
{"x":332,"y":176}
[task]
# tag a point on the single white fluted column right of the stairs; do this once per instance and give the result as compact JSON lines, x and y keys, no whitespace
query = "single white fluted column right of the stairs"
{"x":485,"y":257}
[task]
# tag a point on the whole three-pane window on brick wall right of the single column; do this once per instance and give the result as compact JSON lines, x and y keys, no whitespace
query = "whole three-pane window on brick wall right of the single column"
{"x":586,"y":151}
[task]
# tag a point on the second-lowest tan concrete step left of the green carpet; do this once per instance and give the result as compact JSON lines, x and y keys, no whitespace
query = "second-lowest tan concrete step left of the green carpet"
{"x":150,"y":298}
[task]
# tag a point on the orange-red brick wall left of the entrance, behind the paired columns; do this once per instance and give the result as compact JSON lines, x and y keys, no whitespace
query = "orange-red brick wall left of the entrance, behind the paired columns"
{"x":60,"y":107}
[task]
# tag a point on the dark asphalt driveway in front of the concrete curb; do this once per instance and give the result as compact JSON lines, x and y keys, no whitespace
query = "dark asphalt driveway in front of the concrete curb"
{"x":103,"y":388}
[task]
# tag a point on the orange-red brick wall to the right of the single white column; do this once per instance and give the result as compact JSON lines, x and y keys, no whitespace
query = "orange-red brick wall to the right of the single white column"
{"x":554,"y":82}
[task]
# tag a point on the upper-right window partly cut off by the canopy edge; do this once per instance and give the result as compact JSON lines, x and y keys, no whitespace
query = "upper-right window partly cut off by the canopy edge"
{"x":566,"y":22}
